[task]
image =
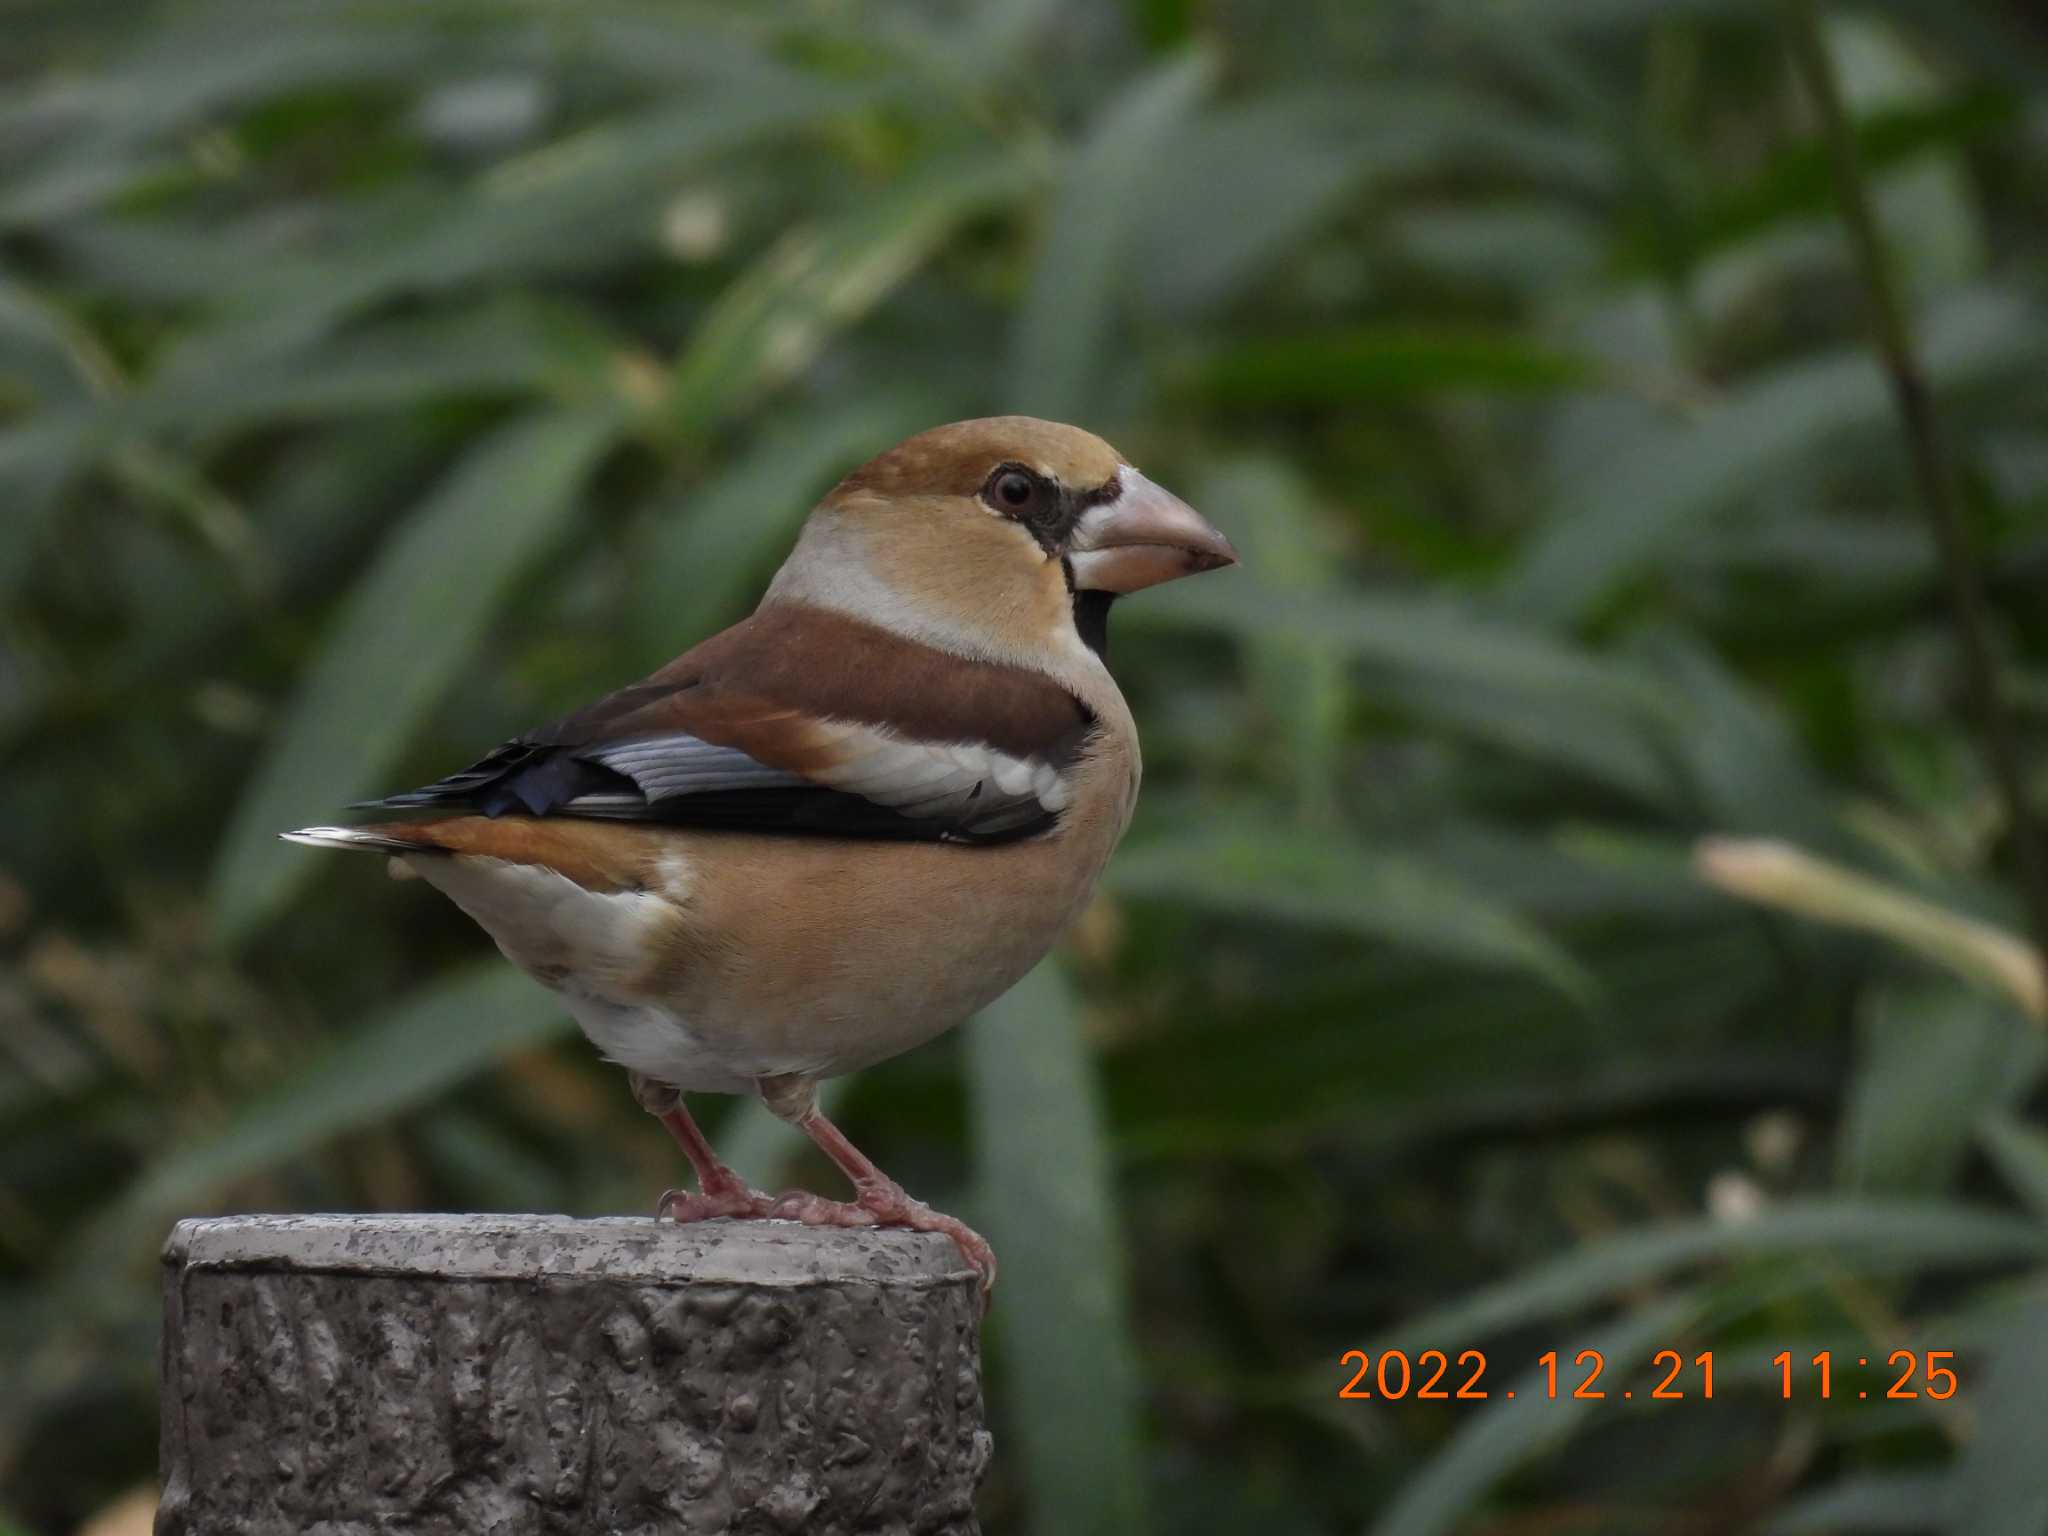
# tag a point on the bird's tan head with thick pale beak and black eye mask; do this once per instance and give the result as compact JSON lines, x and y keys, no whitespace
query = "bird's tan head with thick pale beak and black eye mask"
{"x":1000,"y":538}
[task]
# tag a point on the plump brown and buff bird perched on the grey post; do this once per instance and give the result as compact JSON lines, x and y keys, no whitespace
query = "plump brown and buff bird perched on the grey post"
{"x":845,"y":824}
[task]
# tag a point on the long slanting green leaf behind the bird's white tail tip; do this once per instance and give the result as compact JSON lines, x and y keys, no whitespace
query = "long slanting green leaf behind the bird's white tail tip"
{"x":402,"y":636}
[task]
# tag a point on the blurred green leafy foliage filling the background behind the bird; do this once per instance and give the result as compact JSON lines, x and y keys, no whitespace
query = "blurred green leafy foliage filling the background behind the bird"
{"x":378,"y":380}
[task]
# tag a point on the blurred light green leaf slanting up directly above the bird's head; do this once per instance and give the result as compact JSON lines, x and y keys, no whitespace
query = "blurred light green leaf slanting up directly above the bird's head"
{"x":775,"y":321}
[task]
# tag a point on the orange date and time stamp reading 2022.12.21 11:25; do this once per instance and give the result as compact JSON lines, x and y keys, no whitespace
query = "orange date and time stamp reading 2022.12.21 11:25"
{"x":1441,"y":1377}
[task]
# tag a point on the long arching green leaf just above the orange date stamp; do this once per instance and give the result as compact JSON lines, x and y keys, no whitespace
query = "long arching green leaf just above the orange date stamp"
{"x":1854,"y":1234}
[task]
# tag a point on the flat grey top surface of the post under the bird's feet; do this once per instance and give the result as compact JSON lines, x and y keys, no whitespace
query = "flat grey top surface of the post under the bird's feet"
{"x":607,"y":1248}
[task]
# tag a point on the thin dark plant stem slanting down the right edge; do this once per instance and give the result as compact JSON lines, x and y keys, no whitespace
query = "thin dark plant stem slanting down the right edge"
{"x":1930,"y":462}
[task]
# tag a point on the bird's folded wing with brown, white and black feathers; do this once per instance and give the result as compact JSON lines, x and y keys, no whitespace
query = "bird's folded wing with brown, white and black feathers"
{"x":800,"y":722}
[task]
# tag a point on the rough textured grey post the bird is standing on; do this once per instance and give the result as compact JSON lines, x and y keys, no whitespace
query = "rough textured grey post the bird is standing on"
{"x":525,"y":1375}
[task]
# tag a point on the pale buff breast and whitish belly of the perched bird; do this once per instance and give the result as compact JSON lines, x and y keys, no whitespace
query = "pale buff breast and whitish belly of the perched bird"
{"x":734,"y":955}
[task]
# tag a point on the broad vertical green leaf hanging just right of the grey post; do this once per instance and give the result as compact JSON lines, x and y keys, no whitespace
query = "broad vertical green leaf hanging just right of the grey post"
{"x":1068,"y":1377}
